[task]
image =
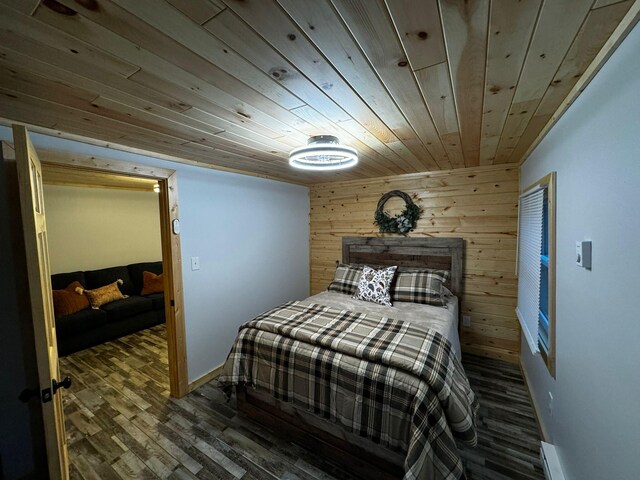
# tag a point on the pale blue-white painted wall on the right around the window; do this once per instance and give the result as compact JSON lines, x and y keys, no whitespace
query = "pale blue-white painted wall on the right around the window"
{"x":595,"y":148}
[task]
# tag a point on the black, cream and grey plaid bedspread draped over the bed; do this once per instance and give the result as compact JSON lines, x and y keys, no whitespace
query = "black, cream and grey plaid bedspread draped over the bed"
{"x":391,"y":381}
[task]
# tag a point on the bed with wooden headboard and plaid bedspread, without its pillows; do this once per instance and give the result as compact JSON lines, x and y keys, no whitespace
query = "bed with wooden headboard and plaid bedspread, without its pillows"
{"x":297,"y":370}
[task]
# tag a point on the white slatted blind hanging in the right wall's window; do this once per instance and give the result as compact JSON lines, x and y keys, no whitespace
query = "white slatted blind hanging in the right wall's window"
{"x":529,"y":249}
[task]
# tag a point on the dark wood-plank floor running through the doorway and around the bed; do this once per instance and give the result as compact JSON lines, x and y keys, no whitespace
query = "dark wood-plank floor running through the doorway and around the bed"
{"x":121,"y":423}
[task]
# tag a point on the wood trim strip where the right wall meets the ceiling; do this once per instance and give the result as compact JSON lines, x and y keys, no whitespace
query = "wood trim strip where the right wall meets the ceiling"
{"x":620,"y":33}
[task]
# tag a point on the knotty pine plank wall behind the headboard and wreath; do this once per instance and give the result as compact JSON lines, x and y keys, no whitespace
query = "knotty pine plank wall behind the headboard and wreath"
{"x":478,"y":204}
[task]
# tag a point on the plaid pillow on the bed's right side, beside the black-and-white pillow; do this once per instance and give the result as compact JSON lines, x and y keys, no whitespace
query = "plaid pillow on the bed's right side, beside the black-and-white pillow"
{"x":420,"y":286}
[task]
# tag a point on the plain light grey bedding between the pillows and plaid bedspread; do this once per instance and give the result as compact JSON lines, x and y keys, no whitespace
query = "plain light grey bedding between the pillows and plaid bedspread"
{"x":444,"y":320}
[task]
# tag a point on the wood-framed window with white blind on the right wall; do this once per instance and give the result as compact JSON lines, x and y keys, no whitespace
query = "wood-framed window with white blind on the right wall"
{"x":536,"y":268}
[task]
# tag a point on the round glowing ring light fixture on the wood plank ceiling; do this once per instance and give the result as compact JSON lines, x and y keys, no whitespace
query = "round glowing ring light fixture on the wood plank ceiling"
{"x":323,"y":152}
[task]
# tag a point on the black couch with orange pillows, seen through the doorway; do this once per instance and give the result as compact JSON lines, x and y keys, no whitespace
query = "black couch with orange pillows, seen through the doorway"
{"x":91,"y":327}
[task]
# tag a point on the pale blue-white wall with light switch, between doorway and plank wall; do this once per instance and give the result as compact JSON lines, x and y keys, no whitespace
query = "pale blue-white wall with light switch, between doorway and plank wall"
{"x":252,"y":238}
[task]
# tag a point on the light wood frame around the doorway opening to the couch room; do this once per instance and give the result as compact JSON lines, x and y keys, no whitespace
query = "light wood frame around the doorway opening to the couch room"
{"x":171,"y":251}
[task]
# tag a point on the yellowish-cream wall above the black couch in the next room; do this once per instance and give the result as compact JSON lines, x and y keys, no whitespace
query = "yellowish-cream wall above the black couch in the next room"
{"x":91,"y":228}
